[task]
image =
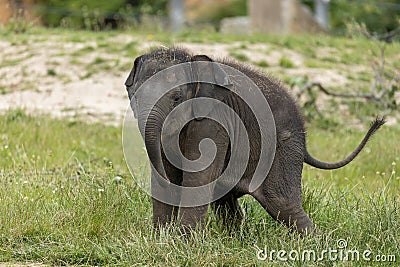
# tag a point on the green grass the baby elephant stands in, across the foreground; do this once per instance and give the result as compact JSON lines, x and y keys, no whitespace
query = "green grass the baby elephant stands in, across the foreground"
{"x":61,"y":204}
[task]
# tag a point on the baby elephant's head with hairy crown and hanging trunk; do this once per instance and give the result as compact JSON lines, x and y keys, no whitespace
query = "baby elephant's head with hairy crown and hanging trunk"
{"x":163,"y":79}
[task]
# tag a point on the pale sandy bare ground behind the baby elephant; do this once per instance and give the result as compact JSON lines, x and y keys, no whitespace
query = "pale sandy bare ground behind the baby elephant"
{"x":81,"y":79}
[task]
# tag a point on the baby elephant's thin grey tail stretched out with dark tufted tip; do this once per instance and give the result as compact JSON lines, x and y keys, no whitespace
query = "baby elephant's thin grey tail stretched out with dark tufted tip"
{"x":335,"y":165}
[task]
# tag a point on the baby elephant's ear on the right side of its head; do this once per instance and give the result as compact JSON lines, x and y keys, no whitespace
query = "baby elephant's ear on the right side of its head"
{"x":207,"y":72}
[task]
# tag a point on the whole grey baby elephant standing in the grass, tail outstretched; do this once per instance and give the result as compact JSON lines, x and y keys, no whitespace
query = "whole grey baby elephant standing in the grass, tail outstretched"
{"x":279,"y":192}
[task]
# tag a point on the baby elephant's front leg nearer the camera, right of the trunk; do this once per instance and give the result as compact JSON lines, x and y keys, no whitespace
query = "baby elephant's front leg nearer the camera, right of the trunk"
{"x":198,"y":189}
